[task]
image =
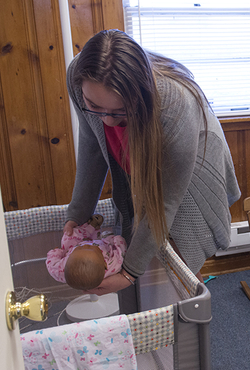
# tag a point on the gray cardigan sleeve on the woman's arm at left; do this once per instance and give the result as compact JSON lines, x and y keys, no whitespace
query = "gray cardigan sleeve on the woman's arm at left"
{"x":91,"y":165}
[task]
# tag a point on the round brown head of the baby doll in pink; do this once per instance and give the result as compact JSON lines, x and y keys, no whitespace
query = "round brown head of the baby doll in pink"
{"x":85,"y":267}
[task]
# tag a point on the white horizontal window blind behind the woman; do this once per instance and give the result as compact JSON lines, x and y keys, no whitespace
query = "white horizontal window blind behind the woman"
{"x":213,"y":43}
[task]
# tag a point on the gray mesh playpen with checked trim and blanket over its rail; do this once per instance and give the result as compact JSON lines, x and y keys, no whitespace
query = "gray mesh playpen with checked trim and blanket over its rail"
{"x":170,"y":331}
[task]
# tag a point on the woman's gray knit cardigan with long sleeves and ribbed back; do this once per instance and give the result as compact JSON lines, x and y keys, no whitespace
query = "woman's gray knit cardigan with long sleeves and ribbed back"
{"x":198,"y":189}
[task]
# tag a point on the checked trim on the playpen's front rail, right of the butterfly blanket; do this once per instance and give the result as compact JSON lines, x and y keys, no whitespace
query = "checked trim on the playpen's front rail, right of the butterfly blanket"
{"x":152,"y":329}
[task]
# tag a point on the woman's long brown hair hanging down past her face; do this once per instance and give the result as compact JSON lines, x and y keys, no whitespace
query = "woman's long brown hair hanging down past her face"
{"x":119,"y":63}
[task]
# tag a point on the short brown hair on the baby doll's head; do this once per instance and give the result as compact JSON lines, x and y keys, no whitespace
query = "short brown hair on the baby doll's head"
{"x":83,"y":273}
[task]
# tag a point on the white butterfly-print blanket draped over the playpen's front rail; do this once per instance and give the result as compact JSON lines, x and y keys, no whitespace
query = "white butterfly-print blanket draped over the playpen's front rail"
{"x":90,"y":345}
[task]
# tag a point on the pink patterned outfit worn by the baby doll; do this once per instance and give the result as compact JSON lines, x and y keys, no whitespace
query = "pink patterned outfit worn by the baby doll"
{"x":113,"y":249}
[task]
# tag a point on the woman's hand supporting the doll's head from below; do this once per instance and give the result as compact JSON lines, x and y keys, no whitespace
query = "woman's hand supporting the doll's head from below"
{"x":112,"y":284}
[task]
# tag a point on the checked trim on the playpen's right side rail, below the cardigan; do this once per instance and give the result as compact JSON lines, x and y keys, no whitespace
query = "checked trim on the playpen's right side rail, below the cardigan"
{"x":174,"y":265}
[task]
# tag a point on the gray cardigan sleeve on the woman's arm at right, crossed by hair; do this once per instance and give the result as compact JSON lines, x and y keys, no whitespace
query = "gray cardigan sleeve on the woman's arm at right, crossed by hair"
{"x":182,"y":120}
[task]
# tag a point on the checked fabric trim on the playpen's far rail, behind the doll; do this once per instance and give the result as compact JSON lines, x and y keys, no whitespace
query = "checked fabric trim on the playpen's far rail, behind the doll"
{"x":32,"y":221}
